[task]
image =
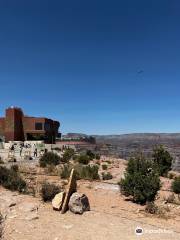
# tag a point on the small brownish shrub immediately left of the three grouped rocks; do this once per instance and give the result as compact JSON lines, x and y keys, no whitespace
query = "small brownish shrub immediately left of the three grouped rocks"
{"x":48,"y":191}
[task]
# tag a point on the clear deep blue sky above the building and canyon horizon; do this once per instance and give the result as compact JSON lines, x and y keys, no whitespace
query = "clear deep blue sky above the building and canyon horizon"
{"x":98,"y":66}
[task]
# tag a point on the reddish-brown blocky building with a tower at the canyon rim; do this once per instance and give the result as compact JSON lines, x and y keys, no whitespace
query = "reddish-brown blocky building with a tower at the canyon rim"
{"x":16,"y":126}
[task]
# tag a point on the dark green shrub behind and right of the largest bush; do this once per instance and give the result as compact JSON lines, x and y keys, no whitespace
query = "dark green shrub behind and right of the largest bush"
{"x":163,"y":159}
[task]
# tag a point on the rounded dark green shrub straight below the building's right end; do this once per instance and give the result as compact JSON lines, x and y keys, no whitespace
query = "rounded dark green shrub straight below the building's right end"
{"x":49,"y":158}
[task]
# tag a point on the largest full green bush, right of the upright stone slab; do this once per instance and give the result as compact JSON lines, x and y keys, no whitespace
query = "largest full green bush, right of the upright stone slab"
{"x":141,"y":180}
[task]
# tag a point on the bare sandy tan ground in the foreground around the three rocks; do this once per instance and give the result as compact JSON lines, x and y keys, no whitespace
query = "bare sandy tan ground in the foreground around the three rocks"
{"x":111,"y":215}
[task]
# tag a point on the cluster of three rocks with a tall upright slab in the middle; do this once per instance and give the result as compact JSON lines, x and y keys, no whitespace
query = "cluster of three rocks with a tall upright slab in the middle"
{"x":76,"y":202}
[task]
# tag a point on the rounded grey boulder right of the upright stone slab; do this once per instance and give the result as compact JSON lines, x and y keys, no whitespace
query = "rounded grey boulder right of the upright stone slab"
{"x":79,"y":203}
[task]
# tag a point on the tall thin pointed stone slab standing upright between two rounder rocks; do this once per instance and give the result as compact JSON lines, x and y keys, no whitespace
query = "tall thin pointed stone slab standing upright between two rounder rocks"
{"x":71,"y":188}
